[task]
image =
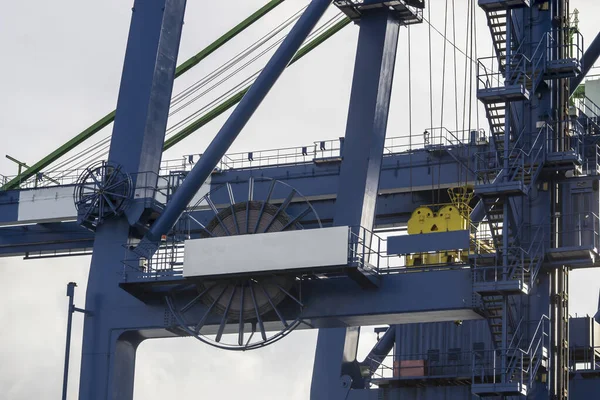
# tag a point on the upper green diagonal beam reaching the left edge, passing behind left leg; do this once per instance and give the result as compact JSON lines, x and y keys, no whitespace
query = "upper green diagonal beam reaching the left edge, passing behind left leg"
{"x":99,"y":125}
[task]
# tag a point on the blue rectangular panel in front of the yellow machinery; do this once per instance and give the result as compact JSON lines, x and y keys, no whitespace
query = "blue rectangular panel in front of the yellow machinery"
{"x":438,"y":241}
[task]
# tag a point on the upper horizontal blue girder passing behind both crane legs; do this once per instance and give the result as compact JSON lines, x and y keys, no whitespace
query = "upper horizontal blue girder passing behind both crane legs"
{"x":402,"y":171}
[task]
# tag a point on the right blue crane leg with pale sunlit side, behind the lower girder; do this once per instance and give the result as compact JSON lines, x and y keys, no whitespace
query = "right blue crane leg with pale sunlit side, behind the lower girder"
{"x":336,"y":368}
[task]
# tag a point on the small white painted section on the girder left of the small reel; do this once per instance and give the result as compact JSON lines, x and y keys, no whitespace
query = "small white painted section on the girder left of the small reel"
{"x":47,"y":204}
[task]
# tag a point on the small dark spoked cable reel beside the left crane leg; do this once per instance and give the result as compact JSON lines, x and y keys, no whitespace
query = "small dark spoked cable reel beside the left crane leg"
{"x":102,"y":191}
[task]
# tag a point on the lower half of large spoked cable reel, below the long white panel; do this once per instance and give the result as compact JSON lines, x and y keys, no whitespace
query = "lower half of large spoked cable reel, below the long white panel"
{"x":242,"y":314}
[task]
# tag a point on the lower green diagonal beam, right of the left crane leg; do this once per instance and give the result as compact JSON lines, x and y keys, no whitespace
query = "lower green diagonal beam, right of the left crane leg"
{"x":233,"y":100}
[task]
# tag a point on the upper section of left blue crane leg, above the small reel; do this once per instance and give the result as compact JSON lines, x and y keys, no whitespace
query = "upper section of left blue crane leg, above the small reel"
{"x":145,"y":94}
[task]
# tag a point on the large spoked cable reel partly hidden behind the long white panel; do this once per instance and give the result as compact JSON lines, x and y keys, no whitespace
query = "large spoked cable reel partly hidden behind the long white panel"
{"x":251,"y":310}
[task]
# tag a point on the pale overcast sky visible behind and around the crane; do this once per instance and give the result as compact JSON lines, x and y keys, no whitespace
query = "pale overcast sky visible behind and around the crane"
{"x":60,"y":72}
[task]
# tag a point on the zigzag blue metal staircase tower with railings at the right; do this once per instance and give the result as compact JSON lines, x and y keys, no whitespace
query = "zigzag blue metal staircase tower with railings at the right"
{"x":504,"y":175}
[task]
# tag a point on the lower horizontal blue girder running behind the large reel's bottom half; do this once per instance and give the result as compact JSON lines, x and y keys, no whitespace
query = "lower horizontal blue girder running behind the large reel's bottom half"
{"x":334,"y":303}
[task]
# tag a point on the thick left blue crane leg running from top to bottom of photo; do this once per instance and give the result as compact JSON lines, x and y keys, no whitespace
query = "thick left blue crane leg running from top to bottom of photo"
{"x":108,"y":355}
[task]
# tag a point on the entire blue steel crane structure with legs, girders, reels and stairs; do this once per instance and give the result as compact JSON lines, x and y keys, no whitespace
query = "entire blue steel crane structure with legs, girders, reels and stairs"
{"x":497,"y":291}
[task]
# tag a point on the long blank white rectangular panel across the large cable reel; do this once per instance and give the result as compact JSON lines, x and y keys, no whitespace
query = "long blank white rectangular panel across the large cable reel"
{"x":275,"y":251}
